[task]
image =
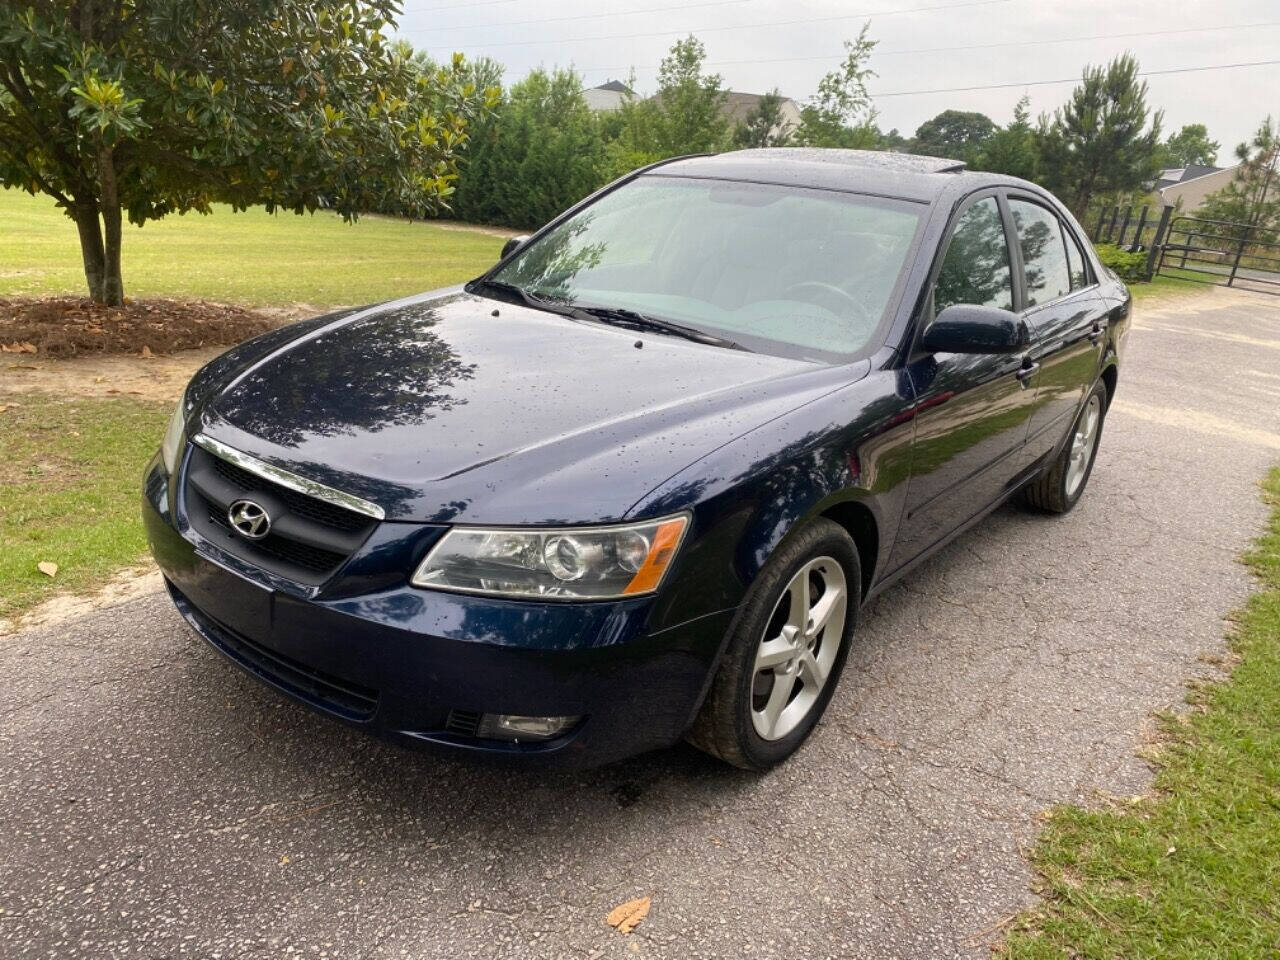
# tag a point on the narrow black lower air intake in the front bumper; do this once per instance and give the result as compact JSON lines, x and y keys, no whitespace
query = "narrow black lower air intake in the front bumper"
{"x":324,"y":691}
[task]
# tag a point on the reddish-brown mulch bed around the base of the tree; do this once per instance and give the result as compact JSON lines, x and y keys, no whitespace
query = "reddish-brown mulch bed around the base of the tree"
{"x":67,"y":327}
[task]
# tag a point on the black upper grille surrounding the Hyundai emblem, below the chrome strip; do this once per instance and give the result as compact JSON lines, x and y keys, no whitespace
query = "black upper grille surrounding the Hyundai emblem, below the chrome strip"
{"x":310,"y":538}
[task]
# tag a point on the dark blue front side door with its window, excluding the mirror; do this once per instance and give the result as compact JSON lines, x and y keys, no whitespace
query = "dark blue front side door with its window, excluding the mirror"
{"x":972,"y":410}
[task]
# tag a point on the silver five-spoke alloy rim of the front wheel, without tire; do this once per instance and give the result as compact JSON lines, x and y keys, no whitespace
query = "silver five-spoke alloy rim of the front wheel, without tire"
{"x":799,"y":648}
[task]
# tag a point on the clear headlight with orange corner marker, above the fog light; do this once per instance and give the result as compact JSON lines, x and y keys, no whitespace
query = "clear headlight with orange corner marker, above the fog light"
{"x":570,"y":564}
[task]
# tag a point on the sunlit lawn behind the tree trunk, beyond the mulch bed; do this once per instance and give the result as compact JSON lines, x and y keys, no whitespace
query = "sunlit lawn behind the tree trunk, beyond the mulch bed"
{"x":252,"y":258}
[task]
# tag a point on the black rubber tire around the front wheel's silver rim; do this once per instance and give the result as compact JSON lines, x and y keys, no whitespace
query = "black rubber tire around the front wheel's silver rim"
{"x":725,"y":725}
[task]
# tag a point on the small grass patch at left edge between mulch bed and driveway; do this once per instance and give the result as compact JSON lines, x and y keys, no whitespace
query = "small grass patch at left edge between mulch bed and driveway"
{"x":71,"y":474}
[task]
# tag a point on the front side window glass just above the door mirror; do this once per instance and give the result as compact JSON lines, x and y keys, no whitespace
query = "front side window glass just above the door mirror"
{"x":976,"y":269}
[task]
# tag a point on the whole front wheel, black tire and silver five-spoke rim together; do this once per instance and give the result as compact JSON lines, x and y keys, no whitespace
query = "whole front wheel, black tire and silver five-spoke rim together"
{"x":785,"y":653}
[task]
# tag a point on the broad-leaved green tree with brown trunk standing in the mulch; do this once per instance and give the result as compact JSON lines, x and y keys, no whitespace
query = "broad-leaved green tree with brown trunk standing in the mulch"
{"x":144,"y":109}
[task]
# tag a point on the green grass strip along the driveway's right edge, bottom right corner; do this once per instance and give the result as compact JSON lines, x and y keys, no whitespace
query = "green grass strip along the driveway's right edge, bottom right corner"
{"x":1195,"y":870}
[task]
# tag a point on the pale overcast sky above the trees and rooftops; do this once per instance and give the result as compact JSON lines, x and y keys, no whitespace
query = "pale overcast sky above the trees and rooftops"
{"x":761,"y":44}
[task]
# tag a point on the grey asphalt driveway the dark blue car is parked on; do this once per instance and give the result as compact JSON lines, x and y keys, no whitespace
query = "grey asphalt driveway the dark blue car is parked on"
{"x":157,"y":803}
